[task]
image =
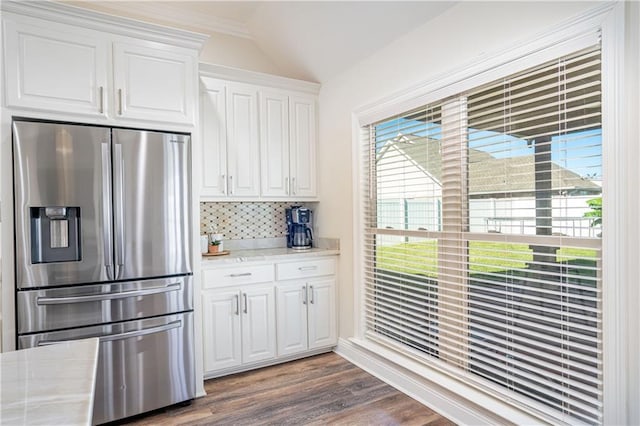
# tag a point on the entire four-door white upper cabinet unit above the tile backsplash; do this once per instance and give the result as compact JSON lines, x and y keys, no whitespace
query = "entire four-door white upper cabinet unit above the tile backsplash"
{"x":258,"y":138}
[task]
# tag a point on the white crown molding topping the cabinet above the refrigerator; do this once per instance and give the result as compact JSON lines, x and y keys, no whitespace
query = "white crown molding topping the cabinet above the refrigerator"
{"x":80,"y":17}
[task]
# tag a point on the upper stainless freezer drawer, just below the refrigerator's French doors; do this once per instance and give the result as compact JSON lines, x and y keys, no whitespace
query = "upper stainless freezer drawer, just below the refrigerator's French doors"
{"x":78,"y":306}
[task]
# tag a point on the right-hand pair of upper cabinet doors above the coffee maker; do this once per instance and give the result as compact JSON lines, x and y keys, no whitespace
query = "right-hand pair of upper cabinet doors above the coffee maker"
{"x":288,"y":145}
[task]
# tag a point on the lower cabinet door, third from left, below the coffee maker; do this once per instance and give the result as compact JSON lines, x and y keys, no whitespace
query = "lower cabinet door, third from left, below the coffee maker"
{"x":291,"y":302}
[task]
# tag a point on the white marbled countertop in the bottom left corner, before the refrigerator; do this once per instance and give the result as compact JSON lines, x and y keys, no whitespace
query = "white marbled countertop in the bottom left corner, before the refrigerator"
{"x":49,"y":384}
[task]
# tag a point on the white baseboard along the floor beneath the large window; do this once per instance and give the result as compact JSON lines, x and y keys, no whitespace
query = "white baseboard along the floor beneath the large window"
{"x":434,"y":396}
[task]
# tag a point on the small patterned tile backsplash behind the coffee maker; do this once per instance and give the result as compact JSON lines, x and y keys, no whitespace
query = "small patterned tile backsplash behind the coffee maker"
{"x":245,"y":220}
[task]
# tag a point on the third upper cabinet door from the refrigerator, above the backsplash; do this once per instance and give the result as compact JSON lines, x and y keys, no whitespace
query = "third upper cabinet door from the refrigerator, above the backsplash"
{"x":274,"y":144}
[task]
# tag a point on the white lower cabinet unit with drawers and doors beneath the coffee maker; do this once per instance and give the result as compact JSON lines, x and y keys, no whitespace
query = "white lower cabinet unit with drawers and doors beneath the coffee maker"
{"x":260,"y":314}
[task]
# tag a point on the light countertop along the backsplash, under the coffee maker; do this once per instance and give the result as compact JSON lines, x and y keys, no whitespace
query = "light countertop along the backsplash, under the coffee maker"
{"x":268,"y":254}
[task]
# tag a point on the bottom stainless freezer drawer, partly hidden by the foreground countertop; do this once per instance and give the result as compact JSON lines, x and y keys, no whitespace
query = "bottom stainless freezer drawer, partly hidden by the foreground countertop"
{"x":142,"y":366}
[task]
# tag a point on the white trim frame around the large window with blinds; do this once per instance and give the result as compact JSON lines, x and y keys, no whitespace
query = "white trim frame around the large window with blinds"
{"x":607,"y":23}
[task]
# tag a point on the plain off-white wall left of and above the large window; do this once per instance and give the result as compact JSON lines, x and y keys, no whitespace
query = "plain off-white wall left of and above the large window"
{"x":467,"y":31}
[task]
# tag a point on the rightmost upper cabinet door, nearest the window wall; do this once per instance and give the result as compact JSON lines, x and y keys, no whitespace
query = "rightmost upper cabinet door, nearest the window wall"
{"x":302,"y":122}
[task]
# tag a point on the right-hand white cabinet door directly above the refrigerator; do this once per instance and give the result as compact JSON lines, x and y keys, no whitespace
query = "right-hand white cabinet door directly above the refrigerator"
{"x":153,"y":84}
